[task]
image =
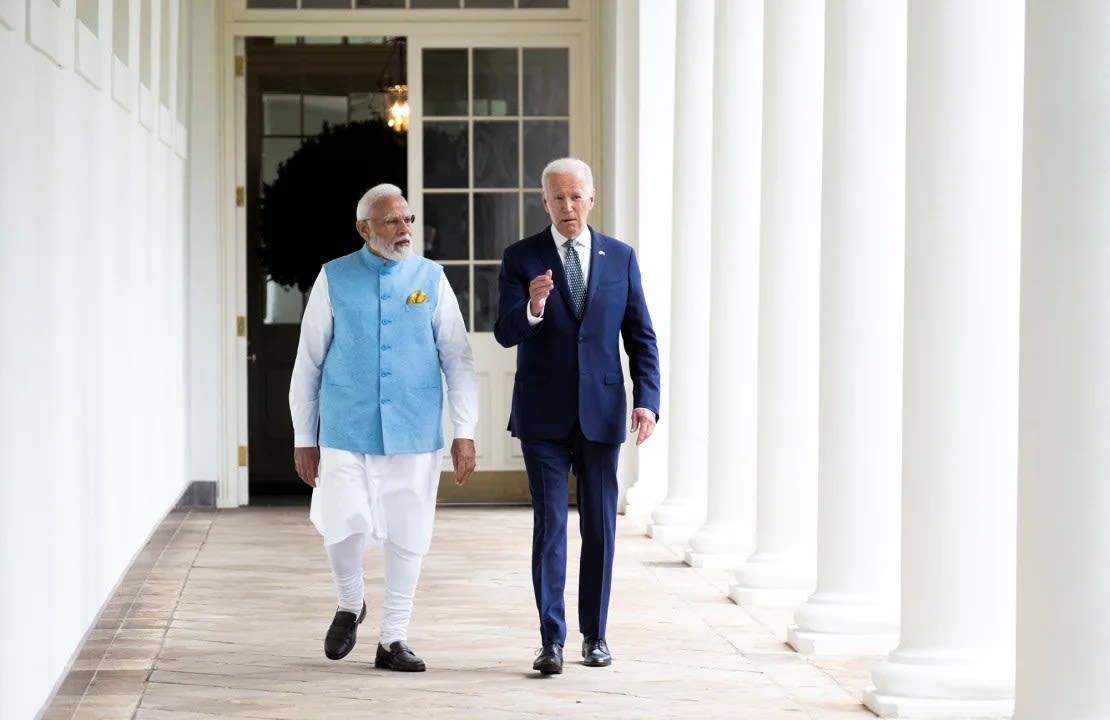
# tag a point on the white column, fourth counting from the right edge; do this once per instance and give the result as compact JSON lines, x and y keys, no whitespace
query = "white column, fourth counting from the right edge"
{"x":782,"y":569}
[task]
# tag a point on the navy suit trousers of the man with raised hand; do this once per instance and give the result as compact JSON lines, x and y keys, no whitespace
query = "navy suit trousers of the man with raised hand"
{"x":596,"y":470}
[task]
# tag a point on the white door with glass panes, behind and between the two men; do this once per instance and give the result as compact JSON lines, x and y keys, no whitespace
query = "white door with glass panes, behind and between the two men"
{"x":486,"y":123}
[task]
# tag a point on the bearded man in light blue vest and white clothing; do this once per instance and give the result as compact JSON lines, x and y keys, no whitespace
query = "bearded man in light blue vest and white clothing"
{"x":367,"y":401}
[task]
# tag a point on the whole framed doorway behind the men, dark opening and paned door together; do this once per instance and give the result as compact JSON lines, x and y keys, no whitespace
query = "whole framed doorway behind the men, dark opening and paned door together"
{"x":490,"y":103}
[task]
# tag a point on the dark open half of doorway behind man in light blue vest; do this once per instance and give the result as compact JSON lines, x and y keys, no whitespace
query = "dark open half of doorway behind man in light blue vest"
{"x":318,"y":137}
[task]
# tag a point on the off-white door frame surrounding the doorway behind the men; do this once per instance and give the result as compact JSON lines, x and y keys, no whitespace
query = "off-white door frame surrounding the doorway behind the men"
{"x":580,"y":24}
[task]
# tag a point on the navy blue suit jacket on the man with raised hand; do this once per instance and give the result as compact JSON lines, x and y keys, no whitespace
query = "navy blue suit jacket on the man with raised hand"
{"x":569,"y":371}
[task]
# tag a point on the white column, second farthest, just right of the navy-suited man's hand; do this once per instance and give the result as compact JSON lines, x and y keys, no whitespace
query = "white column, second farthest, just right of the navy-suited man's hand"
{"x":680,"y":514}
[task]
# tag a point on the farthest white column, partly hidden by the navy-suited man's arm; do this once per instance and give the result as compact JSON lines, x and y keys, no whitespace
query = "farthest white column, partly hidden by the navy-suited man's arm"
{"x":652,"y":73}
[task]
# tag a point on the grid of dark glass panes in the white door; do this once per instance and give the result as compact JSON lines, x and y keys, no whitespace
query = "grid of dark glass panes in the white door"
{"x":493,"y":118}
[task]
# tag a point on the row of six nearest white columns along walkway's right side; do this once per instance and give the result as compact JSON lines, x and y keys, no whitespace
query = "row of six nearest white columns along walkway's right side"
{"x":860,"y":273}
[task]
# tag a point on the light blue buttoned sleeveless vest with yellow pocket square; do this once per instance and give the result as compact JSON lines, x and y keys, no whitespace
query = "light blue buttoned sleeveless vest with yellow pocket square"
{"x":381,"y":392}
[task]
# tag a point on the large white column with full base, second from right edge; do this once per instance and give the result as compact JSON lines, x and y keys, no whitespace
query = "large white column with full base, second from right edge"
{"x":955,"y":657}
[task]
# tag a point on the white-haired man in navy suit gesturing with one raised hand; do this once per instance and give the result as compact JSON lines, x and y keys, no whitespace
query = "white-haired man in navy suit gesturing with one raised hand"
{"x":569,"y":297}
